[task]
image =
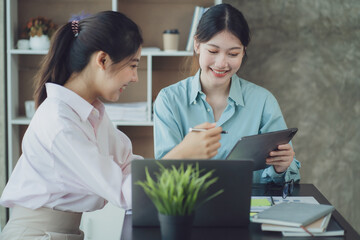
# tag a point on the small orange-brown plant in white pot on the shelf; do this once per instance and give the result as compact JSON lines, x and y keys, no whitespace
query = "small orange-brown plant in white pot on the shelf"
{"x":39,"y":30}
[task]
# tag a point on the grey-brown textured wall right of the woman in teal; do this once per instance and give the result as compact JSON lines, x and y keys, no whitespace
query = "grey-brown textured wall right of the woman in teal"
{"x":306,"y":53}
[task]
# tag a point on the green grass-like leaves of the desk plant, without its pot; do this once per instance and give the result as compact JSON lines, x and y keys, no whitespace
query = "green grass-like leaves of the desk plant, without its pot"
{"x":178,"y":192}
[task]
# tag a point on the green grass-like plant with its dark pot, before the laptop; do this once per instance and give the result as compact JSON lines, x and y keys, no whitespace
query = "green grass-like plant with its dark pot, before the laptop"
{"x":176,"y":193}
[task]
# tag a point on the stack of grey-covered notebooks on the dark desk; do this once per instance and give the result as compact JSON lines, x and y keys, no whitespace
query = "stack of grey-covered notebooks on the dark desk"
{"x":299,"y":219}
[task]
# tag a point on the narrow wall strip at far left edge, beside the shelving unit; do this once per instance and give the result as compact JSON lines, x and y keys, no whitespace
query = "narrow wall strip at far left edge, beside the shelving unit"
{"x":2,"y":109}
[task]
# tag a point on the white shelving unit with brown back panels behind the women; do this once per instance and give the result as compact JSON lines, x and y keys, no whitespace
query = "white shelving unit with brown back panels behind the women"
{"x":157,"y":68}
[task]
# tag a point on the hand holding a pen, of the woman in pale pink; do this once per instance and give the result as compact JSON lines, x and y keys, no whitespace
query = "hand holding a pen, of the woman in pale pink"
{"x":198,"y":145}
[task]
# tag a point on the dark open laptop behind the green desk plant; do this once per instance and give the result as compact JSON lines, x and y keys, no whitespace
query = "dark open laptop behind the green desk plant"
{"x":229,"y":209}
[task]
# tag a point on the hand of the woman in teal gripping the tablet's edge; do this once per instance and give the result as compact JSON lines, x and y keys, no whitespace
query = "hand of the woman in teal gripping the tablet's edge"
{"x":281,"y":158}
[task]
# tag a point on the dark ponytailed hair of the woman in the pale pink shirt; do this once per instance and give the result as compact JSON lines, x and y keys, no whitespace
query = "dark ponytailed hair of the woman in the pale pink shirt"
{"x":109,"y":31}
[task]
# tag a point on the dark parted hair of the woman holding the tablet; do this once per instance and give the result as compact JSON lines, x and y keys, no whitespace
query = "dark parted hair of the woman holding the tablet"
{"x":217,"y":19}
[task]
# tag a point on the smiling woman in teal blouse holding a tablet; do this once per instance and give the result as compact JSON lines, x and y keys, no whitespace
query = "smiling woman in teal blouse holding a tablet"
{"x":216,"y":94}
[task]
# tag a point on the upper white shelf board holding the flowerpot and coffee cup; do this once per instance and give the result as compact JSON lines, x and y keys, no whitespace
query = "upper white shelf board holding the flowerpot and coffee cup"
{"x":146,"y":53}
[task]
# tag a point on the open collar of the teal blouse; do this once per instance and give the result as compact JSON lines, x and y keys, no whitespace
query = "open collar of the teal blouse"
{"x":235,"y":89}
